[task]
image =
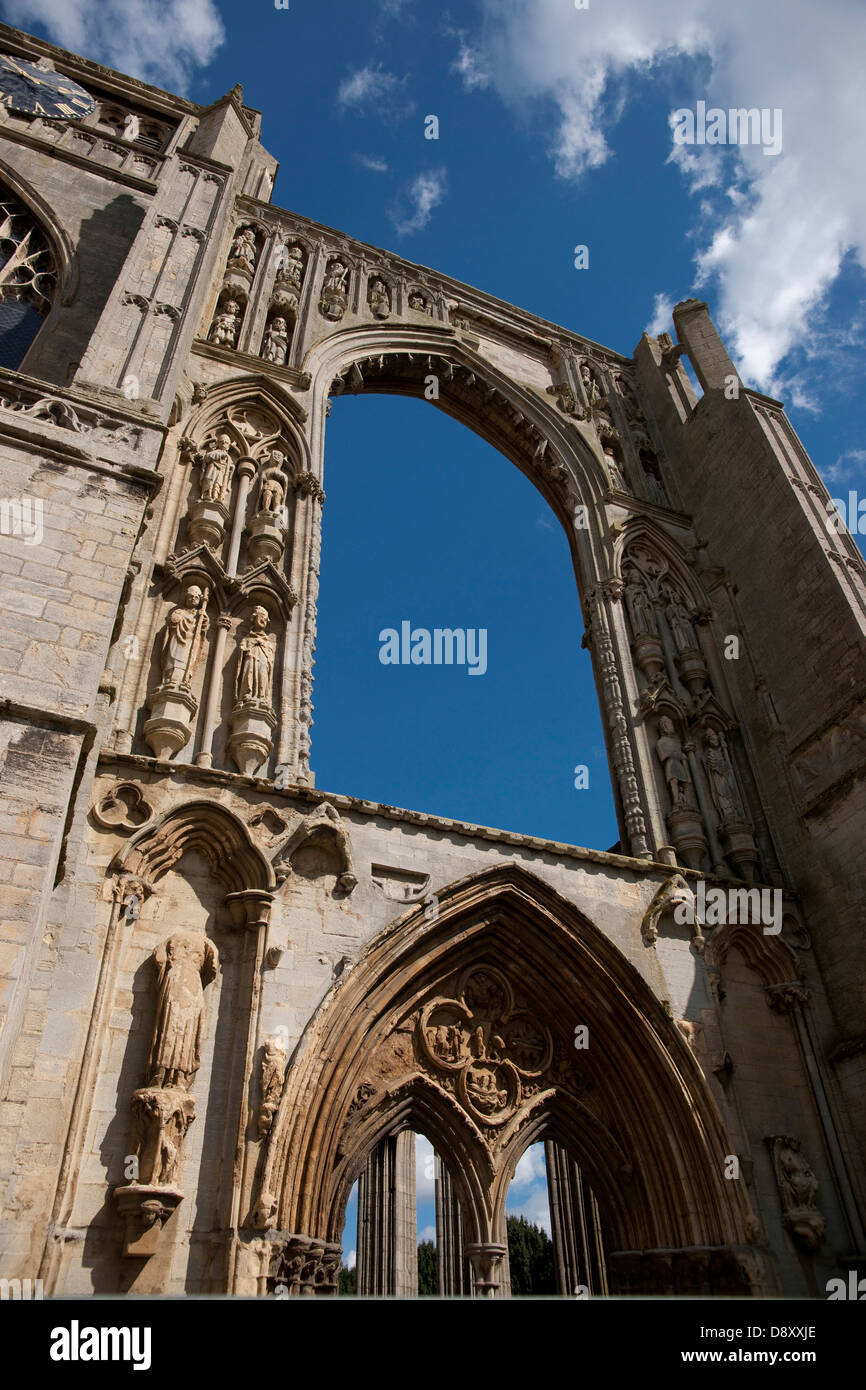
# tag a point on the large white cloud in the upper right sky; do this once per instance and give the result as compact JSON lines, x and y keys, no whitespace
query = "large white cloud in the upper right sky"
{"x":776,"y":243}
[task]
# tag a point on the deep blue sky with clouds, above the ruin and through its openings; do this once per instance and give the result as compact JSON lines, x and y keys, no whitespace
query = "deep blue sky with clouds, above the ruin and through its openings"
{"x":554,"y":133}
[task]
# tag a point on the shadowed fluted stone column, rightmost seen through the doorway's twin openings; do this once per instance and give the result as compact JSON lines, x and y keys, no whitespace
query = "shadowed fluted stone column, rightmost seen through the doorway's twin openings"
{"x":579,"y":1254}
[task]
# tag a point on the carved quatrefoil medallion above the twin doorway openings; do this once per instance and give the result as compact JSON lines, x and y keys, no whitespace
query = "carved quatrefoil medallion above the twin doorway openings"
{"x":491,"y":1050}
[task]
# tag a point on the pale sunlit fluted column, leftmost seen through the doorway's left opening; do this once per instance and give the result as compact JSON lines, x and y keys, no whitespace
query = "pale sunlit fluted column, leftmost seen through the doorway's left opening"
{"x":387,"y":1224}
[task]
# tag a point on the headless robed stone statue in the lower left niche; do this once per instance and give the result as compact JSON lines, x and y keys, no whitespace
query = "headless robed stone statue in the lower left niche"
{"x":186,"y":964}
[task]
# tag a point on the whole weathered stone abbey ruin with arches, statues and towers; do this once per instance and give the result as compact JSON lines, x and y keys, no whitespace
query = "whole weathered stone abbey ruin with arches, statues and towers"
{"x":226,"y":995}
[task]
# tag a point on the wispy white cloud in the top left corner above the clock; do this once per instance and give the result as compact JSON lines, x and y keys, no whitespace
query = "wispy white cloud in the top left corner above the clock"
{"x":158,"y":41}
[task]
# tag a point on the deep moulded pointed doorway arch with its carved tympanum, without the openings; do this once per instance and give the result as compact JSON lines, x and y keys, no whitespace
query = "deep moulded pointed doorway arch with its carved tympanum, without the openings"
{"x":379,"y":1057}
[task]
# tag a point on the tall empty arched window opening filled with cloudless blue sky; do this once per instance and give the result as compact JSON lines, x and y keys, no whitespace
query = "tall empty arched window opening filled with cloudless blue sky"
{"x":427,"y":528}
